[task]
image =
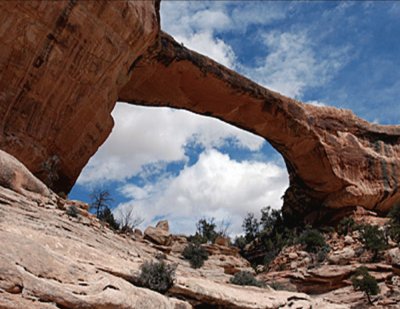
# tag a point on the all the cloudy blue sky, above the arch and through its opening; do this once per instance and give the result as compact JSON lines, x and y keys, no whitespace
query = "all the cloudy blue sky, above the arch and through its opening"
{"x":176,"y":165}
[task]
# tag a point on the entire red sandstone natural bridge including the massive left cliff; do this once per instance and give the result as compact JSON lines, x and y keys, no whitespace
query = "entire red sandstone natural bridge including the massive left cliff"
{"x":64,"y":64}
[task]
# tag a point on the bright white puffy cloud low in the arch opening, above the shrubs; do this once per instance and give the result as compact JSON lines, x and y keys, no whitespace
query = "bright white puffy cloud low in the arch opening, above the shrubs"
{"x":216,"y":186}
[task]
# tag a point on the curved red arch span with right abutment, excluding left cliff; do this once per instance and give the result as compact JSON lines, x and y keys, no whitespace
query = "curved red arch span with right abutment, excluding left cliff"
{"x":334,"y":158}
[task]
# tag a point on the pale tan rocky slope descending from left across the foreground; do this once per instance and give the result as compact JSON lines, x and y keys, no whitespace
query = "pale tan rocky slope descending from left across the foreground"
{"x":51,"y":260}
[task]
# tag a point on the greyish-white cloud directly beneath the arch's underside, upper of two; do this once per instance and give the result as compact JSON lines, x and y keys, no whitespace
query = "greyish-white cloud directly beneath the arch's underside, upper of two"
{"x":156,"y":136}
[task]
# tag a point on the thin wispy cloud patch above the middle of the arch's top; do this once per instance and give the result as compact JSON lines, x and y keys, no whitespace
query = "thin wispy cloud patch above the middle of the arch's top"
{"x":292,"y":65}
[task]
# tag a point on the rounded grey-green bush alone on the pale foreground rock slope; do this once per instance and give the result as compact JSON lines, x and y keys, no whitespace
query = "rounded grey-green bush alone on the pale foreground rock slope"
{"x":157,"y":276}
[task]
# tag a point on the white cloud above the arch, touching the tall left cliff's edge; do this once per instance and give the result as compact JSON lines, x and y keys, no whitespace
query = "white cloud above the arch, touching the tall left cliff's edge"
{"x":201,"y":21}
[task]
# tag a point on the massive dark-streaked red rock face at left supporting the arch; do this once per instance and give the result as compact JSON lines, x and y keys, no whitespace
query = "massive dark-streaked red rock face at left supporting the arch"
{"x":61,"y":66}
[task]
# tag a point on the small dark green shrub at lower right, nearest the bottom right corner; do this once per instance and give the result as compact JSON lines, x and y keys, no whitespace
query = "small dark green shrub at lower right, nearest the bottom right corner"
{"x":373,"y":239}
